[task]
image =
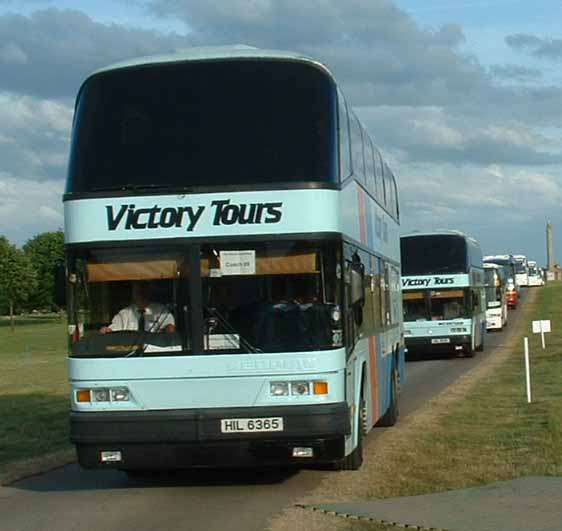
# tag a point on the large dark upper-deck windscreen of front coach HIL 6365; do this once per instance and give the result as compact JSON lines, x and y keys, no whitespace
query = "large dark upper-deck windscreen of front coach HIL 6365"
{"x":204,"y":124}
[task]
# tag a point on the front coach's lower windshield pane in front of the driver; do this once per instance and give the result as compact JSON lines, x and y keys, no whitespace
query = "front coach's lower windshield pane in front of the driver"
{"x":128,"y":303}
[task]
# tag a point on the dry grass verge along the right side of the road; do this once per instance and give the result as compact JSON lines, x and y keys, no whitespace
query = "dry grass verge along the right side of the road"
{"x":478,"y":431}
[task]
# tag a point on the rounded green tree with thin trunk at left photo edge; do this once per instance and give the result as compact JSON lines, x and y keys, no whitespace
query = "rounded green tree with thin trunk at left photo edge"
{"x":18,"y":279}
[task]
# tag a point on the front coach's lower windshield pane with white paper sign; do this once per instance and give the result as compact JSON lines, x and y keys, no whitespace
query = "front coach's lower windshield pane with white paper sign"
{"x":275,"y":297}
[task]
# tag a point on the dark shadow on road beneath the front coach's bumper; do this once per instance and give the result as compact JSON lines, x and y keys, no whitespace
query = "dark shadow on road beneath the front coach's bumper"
{"x":73,"y":478}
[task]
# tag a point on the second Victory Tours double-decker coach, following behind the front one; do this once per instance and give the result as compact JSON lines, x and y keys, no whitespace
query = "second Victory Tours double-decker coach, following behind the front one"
{"x":444,"y":293}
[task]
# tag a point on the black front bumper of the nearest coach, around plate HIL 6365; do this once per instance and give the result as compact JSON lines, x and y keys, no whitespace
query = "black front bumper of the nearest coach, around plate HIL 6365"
{"x":187,"y":438}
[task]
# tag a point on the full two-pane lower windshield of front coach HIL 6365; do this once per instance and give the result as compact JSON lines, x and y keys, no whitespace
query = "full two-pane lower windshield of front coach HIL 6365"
{"x":205,"y":299}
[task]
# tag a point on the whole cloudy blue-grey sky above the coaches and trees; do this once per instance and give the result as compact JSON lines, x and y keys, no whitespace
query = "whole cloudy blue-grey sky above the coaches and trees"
{"x":463,"y":97}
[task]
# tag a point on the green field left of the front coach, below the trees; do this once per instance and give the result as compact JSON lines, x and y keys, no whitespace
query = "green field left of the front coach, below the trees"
{"x":33,"y":388}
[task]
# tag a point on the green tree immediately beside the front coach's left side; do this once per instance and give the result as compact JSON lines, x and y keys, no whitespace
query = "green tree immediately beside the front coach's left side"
{"x":45,"y":251}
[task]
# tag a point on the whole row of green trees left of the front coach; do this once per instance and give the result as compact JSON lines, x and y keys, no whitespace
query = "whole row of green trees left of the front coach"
{"x":27,"y":275}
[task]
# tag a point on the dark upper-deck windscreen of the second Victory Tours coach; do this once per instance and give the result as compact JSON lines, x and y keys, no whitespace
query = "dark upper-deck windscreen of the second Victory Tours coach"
{"x":428,"y":255}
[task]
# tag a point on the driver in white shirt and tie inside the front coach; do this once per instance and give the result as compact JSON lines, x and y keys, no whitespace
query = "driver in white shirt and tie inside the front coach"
{"x":141,"y":314}
